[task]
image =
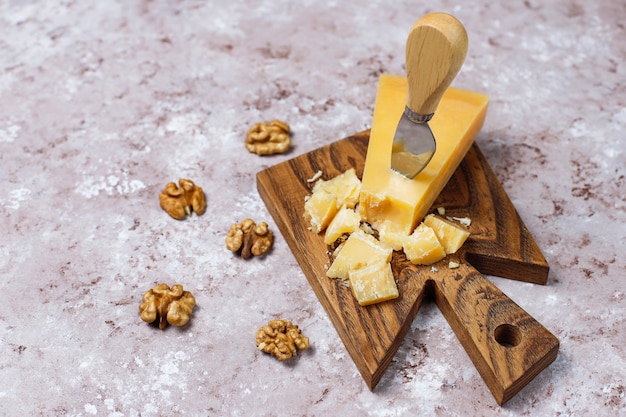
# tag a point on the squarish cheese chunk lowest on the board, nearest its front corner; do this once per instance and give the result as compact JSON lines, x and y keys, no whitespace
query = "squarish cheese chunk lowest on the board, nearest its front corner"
{"x":373,"y":283}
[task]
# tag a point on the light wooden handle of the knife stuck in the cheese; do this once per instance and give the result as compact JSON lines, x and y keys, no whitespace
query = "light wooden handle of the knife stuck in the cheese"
{"x":435,"y":51}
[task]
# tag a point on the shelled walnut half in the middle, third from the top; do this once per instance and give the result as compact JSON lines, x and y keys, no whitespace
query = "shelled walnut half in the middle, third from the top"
{"x":249,"y":238}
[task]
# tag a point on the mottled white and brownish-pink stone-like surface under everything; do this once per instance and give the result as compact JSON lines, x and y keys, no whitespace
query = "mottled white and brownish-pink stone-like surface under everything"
{"x":103,"y":102}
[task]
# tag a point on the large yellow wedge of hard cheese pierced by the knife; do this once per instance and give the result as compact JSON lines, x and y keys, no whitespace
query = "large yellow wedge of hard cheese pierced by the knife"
{"x":391,"y":202}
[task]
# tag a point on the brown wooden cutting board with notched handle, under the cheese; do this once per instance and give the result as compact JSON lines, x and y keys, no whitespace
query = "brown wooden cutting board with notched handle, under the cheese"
{"x":507,"y":346}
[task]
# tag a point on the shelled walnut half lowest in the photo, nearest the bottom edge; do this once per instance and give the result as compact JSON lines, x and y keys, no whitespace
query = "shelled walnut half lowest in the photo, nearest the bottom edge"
{"x":280,"y":338}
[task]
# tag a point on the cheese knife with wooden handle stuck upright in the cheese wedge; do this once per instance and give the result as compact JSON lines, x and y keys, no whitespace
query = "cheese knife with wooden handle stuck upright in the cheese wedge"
{"x":435,"y":51}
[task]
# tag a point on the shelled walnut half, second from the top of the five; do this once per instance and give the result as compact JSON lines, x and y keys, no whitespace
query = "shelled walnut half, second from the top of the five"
{"x":179,"y":202}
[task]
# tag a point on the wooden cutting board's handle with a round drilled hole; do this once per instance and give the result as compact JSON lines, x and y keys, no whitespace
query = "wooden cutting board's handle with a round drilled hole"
{"x":505,"y":343}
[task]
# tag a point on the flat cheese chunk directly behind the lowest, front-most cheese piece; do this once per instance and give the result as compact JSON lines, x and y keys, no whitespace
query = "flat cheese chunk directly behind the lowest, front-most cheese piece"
{"x":358,"y":250}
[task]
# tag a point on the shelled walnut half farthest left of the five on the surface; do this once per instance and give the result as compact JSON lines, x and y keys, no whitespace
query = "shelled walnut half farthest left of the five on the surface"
{"x":167,"y":305}
